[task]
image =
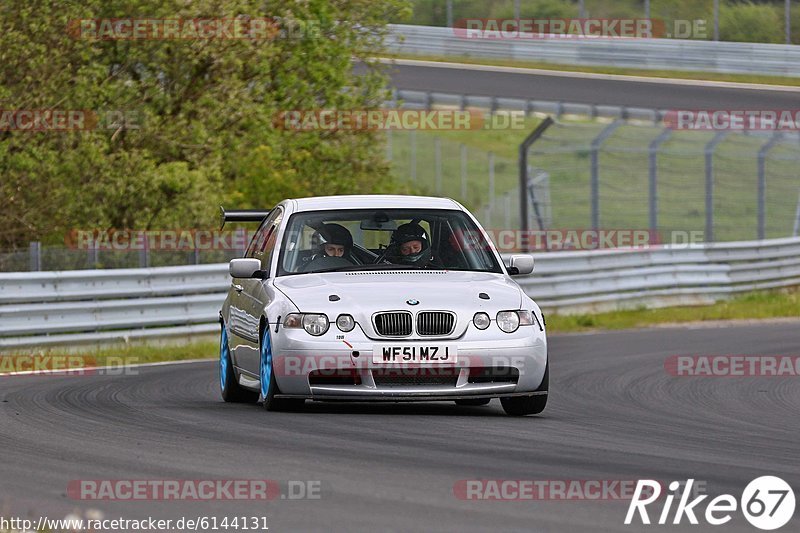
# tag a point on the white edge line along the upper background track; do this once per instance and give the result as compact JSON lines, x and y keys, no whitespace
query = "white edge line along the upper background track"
{"x":589,"y":75}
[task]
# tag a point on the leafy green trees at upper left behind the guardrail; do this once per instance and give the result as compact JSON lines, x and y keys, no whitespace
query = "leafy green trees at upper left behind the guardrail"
{"x":199,"y":112}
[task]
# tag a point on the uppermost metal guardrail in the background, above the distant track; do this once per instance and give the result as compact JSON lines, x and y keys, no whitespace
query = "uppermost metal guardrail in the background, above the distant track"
{"x":653,"y":54}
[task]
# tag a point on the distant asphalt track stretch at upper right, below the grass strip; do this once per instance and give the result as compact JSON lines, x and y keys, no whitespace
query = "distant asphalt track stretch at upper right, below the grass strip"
{"x":589,"y":90}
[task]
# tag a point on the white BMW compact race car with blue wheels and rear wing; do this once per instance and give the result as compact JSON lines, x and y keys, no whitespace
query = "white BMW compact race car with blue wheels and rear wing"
{"x":379,"y":298}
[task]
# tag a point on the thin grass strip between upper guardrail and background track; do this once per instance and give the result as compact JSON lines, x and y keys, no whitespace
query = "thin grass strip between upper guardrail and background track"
{"x":670,"y":74}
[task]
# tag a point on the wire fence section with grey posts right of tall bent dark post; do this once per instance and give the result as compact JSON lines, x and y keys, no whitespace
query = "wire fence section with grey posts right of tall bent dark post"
{"x":727,"y":185}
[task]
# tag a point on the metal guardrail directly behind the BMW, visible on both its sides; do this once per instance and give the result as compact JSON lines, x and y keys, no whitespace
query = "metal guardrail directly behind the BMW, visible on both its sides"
{"x":57,"y":308}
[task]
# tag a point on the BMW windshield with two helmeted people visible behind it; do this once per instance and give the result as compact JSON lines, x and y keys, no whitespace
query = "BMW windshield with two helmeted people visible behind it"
{"x":327,"y":241}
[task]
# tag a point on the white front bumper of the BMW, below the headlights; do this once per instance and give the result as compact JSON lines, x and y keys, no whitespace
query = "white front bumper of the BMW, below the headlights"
{"x":331,"y":368}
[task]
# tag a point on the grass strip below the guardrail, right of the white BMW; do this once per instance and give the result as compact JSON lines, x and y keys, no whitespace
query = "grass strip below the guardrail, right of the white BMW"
{"x":751,"y":306}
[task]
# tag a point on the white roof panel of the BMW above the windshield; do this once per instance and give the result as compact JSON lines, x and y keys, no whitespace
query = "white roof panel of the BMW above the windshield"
{"x":373,"y":201}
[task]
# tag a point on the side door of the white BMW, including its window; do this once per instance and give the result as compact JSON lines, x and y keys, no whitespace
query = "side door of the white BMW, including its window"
{"x":252,"y":295}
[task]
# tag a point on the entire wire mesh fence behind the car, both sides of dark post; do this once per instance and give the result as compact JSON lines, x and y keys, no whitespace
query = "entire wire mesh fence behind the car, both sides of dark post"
{"x":616,"y":174}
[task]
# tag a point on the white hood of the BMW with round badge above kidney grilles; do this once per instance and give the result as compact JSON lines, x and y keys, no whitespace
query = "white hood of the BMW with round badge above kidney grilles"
{"x":362,"y":294}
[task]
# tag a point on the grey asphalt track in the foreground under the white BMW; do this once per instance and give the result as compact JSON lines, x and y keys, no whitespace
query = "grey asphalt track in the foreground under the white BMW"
{"x":614,"y":414}
